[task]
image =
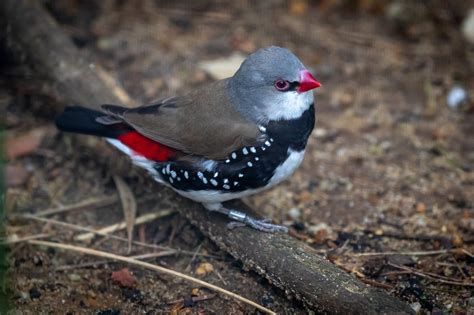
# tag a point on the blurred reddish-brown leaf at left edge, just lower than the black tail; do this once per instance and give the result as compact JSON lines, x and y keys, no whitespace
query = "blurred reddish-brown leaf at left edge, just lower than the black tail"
{"x":24,"y":144}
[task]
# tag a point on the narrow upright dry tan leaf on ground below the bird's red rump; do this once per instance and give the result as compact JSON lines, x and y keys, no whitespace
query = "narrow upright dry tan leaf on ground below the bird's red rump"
{"x":129,"y":207}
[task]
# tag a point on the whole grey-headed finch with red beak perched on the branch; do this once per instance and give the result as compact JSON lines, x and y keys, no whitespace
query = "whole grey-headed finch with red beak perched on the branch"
{"x":224,"y":140}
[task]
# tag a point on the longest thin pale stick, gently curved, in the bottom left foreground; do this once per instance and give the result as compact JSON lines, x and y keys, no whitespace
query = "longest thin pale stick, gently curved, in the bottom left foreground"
{"x":136,"y":262}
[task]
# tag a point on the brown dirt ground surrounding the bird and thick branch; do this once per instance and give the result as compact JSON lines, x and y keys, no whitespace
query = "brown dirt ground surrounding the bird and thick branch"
{"x":389,"y":167}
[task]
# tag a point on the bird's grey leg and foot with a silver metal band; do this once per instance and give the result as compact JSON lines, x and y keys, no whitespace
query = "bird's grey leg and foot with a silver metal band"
{"x":242,"y":219}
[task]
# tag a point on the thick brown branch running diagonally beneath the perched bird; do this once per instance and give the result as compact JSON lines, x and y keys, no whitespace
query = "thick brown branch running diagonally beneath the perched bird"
{"x":287,"y":263}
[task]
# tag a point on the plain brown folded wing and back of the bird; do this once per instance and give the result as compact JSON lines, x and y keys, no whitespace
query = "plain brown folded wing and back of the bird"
{"x":202,"y":122}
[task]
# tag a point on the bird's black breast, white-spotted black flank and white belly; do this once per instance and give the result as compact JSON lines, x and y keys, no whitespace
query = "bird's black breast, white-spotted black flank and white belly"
{"x":246,"y":170}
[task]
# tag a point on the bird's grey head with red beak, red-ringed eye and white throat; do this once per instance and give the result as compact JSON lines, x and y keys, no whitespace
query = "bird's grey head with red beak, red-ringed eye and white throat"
{"x":271,"y":84}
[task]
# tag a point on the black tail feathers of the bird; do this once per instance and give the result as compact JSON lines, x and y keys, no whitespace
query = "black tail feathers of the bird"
{"x":84,"y":120}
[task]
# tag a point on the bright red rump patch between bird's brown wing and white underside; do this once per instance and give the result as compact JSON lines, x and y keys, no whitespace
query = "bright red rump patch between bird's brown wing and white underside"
{"x":146,"y":147}
